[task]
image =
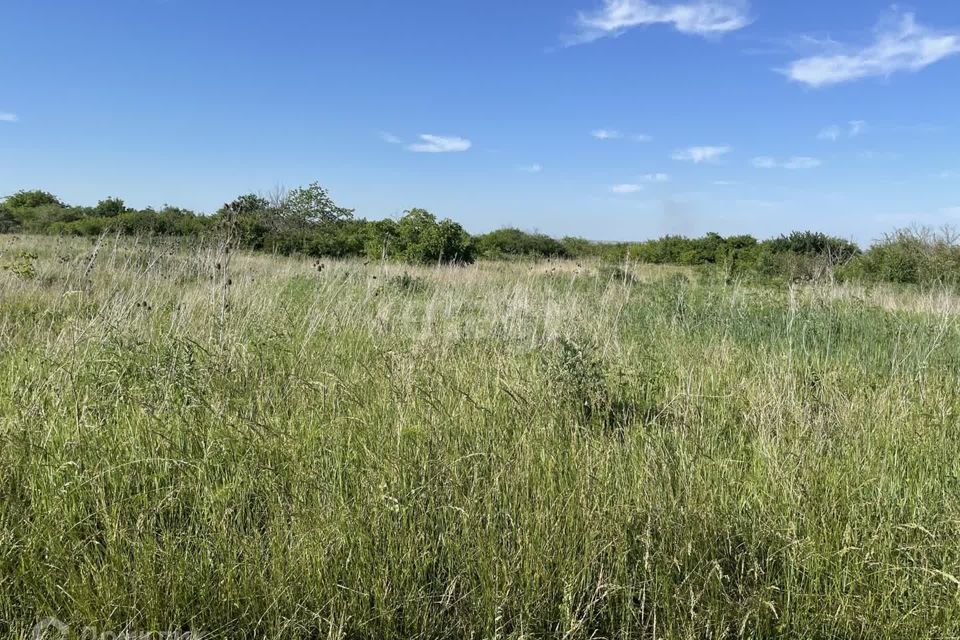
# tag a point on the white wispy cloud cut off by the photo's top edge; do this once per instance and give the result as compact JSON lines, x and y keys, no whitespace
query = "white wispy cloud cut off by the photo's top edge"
{"x":696,"y":17}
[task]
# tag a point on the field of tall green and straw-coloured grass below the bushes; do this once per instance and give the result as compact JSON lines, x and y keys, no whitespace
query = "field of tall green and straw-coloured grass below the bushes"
{"x":249,"y":446}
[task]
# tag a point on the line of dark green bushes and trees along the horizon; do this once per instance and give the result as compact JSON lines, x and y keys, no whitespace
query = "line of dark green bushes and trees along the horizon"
{"x":306,"y":221}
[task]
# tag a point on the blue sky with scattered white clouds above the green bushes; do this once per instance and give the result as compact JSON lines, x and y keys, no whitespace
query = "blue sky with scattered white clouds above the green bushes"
{"x":611,"y":119}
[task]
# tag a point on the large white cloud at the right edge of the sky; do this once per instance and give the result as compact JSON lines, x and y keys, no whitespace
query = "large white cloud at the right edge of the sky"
{"x":900,"y":44}
